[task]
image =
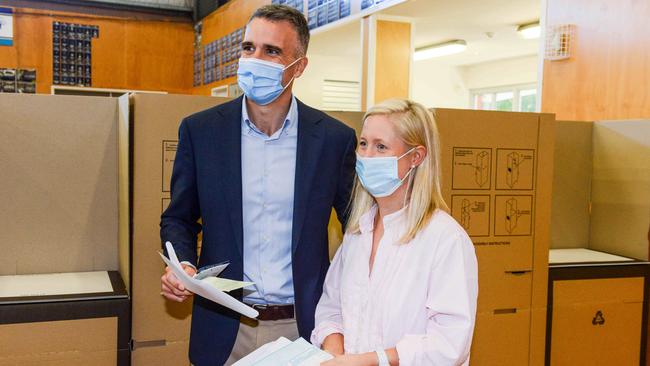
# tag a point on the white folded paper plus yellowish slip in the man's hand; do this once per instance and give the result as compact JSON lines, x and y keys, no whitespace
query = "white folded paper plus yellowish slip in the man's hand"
{"x":211,"y":288}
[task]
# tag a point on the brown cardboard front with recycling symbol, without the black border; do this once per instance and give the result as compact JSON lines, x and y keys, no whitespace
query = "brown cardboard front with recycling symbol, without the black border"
{"x":590,"y":316}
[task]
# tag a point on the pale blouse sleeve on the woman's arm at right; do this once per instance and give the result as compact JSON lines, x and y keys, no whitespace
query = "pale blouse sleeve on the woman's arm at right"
{"x":451,"y":307}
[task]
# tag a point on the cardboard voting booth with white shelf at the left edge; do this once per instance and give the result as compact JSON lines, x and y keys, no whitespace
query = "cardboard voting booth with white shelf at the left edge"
{"x":60,"y":178}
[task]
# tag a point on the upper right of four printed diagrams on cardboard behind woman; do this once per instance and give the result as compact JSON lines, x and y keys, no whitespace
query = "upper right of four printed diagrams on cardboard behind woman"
{"x":515,"y":169}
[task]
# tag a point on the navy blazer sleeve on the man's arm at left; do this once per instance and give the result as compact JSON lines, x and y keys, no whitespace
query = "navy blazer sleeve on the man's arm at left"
{"x":179,"y":223}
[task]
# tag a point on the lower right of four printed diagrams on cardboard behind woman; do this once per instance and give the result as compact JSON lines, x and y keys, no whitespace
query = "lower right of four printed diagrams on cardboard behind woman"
{"x":513,"y":215}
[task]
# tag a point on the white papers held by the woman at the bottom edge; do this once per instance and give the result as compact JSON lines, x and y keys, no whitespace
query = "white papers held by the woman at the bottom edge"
{"x":283,"y":352}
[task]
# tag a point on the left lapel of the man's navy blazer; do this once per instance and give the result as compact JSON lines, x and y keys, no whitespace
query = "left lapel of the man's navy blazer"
{"x":228,"y":153}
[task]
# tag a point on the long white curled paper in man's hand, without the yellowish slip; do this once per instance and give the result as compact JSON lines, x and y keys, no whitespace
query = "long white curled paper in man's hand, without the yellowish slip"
{"x":204,"y":288}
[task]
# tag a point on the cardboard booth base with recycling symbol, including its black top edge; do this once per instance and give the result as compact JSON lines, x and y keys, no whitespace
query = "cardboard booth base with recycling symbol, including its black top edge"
{"x":597,"y":312}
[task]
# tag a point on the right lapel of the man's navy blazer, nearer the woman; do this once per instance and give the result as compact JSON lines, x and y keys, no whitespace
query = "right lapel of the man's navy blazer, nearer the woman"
{"x":310,"y":142}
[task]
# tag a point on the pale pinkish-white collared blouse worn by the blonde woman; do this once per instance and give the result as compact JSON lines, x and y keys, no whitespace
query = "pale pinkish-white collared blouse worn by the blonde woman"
{"x":419,"y":298}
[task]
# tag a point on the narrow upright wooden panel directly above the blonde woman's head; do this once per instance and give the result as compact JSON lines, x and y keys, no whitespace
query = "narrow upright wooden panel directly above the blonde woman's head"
{"x":392,"y":60}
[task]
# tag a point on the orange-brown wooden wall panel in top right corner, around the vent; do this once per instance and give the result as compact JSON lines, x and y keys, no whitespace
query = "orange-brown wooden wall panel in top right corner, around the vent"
{"x":608,"y":74}
